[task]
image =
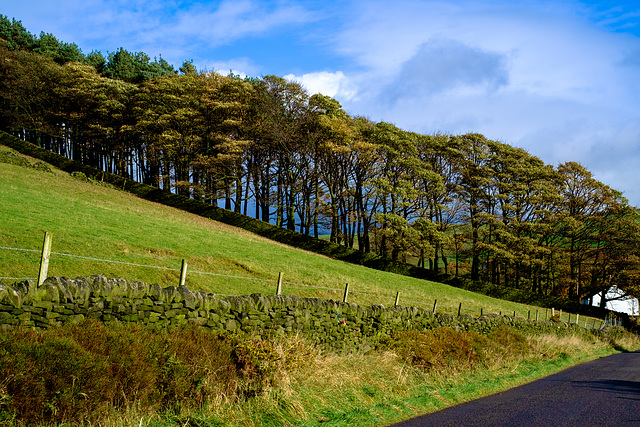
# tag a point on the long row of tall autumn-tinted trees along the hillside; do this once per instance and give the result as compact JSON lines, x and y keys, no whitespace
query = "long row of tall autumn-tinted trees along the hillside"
{"x":264,"y":147}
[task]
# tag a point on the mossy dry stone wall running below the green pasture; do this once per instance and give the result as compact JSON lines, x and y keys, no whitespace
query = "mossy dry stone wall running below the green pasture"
{"x":332,"y":325}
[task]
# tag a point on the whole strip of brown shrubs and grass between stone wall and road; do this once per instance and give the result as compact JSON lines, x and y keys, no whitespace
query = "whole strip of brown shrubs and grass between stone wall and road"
{"x":117,"y":375}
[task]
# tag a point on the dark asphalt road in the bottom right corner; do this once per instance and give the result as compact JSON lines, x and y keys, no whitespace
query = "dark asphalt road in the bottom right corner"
{"x":603,"y":392}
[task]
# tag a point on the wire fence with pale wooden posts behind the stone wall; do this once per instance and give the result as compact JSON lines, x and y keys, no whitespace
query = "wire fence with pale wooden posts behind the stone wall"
{"x":537,"y":315}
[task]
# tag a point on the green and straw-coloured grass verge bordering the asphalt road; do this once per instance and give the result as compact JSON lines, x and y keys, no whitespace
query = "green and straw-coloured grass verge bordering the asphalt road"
{"x":382,"y":388}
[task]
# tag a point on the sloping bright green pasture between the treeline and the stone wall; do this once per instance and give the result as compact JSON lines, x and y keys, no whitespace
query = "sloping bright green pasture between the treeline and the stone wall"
{"x":96,"y":221}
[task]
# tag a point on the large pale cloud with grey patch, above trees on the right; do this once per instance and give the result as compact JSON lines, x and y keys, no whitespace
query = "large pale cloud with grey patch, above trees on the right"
{"x":546,"y":76}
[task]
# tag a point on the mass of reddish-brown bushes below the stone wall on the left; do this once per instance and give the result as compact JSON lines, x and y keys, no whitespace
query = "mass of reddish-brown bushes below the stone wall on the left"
{"x":83,"y":373}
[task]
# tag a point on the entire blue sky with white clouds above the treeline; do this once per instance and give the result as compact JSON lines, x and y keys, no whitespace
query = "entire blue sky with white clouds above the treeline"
{"x":559,"y":78}
